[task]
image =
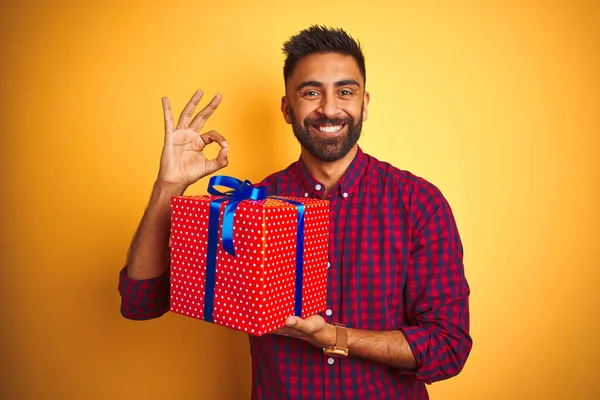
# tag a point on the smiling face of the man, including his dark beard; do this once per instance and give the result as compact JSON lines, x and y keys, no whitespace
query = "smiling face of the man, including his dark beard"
{"x":326,"y":104}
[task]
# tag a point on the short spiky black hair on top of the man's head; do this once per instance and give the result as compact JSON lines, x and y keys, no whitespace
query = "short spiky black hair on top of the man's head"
{"x":321,"y":39}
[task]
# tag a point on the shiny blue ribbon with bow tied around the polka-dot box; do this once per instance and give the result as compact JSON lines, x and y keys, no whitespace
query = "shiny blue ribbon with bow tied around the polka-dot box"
{"x":241,"y":191}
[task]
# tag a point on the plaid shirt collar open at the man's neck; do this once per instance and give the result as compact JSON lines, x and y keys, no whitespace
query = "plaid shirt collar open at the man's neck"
{"x":346,"y":186}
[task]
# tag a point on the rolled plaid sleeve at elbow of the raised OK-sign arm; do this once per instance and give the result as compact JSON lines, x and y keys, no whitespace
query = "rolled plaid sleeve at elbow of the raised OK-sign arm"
{"x":143,"y":299}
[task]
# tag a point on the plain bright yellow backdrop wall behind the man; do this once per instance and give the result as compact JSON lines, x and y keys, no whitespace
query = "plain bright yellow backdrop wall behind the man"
{"x":497,"y":103}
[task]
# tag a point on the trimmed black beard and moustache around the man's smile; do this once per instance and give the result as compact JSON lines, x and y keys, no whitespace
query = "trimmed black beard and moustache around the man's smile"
{"x":323,"y":148}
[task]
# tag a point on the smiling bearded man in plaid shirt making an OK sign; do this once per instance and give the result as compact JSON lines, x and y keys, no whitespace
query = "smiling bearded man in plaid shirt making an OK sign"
{"x":396,"y":279}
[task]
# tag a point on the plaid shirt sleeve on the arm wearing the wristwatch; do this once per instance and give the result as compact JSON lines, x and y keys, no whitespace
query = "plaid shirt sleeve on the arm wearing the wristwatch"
{"x":437,"y":291}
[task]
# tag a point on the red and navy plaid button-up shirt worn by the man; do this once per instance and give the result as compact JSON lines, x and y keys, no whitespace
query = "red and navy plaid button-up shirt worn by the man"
{"x":395,"y":263}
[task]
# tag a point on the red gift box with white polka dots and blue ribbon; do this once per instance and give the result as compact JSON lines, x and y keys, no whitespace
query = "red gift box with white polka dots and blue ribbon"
{"x":279,"y":267}
